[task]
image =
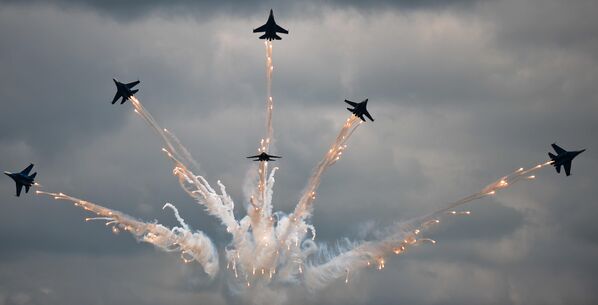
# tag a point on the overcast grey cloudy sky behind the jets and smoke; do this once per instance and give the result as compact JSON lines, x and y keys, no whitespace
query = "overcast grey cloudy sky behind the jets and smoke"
{"x":462,"y":94}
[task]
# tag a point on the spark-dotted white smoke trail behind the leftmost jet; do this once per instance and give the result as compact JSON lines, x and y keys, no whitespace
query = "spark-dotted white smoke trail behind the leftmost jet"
{"x":193,"y":246}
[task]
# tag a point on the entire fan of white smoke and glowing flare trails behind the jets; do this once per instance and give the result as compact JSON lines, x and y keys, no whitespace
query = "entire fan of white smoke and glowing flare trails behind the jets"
{"x":269,"y":247}
